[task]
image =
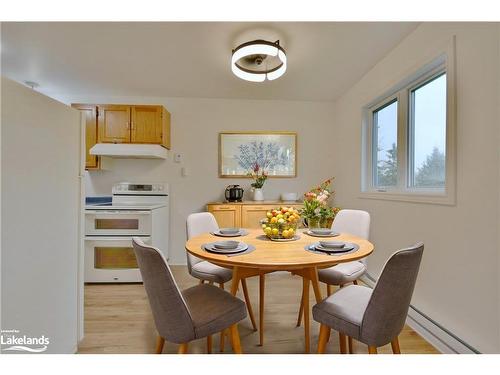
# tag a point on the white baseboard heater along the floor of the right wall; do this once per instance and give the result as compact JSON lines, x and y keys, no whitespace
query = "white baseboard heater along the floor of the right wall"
{"x":433,"y":332}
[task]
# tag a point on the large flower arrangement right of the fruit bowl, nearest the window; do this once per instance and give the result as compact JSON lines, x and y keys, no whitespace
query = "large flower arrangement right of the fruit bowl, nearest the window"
{"x":316,"y":209}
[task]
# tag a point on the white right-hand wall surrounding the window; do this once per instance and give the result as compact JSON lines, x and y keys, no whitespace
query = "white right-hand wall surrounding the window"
{"x":458,"y":284}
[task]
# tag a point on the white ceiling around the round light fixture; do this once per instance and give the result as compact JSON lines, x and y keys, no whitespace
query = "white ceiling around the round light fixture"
{"x":174,"y":59}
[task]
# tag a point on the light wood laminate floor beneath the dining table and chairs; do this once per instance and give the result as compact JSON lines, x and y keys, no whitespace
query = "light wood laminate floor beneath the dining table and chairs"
{"x":118,"y":320}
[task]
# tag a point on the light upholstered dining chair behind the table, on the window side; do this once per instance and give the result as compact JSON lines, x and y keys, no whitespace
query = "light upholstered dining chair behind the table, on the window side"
{"x":357,"y":223}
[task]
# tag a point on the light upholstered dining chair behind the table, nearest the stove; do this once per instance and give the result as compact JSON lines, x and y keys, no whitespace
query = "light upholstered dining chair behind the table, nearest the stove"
{"x":203,"y":270}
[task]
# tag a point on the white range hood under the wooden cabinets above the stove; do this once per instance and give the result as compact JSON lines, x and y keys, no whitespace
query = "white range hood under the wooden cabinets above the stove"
{"x":133,"y":151}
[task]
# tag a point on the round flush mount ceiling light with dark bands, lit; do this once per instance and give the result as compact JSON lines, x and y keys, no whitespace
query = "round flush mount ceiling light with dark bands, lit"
{"x":259,"y":59}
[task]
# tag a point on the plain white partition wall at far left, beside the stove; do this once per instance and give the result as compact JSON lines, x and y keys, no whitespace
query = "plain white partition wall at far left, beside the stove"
{"x":40,"y":209}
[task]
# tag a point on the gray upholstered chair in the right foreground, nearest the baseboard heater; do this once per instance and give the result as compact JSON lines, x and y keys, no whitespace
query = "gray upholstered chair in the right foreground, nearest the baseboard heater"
{"x":373,"y":317}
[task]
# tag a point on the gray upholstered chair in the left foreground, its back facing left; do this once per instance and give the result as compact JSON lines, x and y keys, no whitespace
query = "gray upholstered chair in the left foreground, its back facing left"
{"x":194,"y":313}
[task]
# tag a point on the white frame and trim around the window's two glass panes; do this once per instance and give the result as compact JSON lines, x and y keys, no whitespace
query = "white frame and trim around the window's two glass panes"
{"x":404,"y":191}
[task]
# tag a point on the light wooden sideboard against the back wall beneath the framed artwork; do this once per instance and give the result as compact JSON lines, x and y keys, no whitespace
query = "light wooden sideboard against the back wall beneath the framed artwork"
{"x":246,"y":214}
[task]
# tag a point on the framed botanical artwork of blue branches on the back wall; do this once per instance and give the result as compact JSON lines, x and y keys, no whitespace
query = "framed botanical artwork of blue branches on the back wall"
{"x":273,"y":152}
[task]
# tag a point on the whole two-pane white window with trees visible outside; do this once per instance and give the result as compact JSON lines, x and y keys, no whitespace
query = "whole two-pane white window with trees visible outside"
{"x":407,"y":139}
